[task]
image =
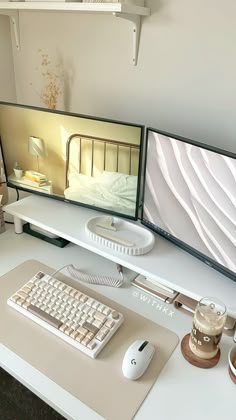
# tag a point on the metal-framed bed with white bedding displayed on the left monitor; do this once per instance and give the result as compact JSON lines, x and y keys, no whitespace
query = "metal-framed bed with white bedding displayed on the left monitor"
{"x":102,"y":173}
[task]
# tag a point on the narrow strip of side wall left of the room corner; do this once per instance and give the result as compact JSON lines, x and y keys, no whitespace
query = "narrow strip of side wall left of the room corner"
{"x":7,"y":79}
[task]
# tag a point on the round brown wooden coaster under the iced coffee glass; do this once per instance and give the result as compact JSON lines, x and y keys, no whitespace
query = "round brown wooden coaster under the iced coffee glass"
{"x":193,"y":359}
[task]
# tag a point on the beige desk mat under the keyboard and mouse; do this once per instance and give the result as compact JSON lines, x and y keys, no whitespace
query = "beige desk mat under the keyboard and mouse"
{"x":99,"y":382}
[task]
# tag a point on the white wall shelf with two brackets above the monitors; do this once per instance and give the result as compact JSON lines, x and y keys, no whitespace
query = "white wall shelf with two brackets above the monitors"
{"x":126,"y":10}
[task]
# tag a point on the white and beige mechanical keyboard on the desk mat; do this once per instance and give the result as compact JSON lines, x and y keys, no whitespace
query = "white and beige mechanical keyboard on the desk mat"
{"x":78,"y":319}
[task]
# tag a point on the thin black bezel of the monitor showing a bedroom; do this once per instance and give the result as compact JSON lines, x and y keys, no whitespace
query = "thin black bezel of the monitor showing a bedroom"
{"x":94,"y":118}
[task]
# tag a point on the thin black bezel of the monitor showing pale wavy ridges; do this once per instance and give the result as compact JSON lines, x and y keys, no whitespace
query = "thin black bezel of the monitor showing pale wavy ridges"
{"x":193,"y":251}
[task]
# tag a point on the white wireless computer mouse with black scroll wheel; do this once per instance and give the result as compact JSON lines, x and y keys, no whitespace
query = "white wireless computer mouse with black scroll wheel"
{"x":137,"y":358}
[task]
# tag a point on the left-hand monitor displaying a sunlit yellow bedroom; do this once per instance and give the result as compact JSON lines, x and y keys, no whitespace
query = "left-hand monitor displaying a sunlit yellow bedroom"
{"x":80,"y":159}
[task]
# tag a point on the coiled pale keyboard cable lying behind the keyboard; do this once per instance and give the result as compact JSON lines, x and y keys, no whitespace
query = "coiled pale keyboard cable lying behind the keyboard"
{"x":88,"y":278}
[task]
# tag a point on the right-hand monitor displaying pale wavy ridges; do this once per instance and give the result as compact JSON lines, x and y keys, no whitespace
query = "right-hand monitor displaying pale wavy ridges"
{"x":189,"y":197}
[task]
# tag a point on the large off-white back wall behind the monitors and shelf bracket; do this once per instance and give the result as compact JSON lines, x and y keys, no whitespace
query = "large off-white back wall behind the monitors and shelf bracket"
{"x":185,"y":80}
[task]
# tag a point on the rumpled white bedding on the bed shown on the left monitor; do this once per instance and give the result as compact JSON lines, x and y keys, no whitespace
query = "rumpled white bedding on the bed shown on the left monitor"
{"x":111,"y":190}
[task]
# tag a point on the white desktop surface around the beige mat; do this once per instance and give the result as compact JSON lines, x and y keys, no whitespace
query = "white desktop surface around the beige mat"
{"x":181,"y":391}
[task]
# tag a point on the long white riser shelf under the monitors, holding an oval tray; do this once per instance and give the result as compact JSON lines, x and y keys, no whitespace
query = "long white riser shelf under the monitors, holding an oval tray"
{"x":166,"y":262}
